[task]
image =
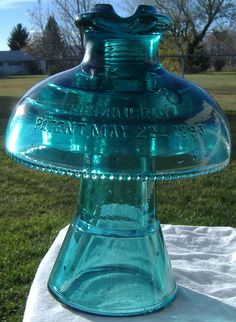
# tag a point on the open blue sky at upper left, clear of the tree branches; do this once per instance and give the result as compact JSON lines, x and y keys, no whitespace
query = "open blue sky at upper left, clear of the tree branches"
{"x":13,"y":12}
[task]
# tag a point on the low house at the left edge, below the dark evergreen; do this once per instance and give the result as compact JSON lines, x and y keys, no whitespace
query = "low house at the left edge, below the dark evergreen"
{"x":16,"y":62}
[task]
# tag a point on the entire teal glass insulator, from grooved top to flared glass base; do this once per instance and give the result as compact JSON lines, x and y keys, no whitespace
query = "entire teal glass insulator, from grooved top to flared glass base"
{"x":120,"y":122}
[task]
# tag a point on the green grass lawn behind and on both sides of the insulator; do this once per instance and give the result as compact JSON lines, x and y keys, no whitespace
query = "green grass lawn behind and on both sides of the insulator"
{"x":34,"y":206}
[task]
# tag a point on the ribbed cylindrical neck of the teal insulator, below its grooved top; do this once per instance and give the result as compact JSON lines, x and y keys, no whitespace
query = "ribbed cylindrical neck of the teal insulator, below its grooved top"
{"x":107,"y":52}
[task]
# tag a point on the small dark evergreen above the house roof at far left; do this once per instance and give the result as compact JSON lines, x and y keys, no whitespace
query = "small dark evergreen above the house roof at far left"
{"x":19,"y":37}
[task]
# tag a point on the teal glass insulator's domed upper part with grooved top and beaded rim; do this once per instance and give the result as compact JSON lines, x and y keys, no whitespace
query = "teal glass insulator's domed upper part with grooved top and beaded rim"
{"x":119,"y":113}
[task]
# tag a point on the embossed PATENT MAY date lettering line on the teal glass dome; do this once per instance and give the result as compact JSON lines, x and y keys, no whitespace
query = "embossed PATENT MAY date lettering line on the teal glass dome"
{"x":116,"y":131}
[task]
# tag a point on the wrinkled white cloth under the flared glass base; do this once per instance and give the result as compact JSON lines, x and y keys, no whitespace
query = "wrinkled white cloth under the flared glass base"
{"x":204,"y":264}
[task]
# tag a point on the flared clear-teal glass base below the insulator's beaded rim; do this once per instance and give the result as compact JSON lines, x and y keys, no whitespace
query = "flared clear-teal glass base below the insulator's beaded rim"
{"x":113,"y":260}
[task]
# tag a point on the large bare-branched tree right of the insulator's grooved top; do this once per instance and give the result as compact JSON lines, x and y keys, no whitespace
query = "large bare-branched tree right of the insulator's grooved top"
{"x":192,"y":19}
